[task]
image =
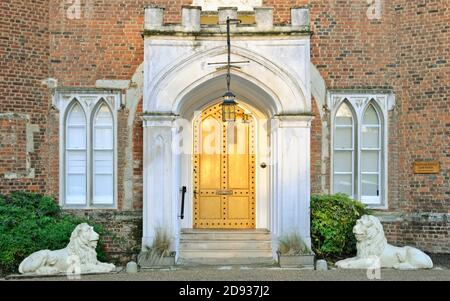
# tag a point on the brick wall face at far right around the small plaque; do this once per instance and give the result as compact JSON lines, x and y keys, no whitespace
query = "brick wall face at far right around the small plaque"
{"x":423,"y":90}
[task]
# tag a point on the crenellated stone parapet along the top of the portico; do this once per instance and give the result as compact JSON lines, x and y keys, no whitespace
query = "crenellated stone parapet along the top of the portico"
{"x":196,"y":21}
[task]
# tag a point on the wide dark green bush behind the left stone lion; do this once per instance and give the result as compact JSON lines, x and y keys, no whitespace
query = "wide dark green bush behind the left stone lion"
{"x":30,"y":222}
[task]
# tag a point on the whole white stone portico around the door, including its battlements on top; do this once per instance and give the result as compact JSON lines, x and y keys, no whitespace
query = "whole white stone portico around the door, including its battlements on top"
{"x":274,"y":87}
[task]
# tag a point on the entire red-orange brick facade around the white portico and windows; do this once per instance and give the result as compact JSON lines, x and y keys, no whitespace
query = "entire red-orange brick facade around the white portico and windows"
{"x":405,"y":50}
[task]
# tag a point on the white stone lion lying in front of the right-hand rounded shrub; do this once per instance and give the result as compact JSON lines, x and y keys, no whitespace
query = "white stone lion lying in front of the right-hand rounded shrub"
{"x":373,"y":251}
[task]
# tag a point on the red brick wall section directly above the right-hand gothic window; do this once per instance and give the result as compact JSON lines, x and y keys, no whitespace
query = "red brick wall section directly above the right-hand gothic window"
{"x":350,"y":50}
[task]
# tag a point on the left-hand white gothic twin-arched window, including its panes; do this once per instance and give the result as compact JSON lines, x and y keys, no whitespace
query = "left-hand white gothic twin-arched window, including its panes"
{"x":88,"y":144}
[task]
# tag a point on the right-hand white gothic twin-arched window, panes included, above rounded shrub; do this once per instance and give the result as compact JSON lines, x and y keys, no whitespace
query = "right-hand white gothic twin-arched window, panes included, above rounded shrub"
{"x":359,"y":145}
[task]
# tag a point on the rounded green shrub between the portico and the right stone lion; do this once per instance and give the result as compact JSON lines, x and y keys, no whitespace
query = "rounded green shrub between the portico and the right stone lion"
{"x":332,"y":220}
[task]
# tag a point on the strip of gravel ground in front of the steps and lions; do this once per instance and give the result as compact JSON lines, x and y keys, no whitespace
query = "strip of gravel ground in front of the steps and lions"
{"x":240,"y":273}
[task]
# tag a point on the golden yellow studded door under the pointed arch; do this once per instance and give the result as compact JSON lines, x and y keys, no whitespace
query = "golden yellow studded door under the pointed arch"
{"x":224,"y":171}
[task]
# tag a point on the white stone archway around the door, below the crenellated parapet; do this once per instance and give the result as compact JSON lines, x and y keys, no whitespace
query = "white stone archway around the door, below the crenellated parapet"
{"x":178,"y":81}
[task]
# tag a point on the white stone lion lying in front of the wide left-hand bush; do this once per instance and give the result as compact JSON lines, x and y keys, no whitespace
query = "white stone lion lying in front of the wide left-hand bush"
{"x":78,"y":257}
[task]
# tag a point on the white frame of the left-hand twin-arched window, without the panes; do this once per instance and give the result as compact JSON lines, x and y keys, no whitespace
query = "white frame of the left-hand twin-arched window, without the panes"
{"x":90,"y":101}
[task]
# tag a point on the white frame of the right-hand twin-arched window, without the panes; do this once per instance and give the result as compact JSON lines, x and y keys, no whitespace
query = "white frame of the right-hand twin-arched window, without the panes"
{"x":358,"y":101}
